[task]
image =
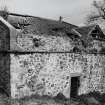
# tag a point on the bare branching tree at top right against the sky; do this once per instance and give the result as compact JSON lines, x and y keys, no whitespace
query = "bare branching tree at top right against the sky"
{"x":99,"y":13}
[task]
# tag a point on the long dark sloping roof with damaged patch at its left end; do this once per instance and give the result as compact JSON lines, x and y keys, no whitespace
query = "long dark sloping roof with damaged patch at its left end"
{"x":36,"y":25}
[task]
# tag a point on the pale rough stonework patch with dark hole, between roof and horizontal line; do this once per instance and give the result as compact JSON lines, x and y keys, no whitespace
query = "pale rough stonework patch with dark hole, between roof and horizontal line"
{"x":44,"y":42}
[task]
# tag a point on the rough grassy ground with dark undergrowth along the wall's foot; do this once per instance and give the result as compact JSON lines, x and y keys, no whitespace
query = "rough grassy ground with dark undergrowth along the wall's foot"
{"x":58,"y":100}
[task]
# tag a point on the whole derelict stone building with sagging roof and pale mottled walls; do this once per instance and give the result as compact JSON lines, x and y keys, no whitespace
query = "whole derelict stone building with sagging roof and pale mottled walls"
{"x":47,"y":57}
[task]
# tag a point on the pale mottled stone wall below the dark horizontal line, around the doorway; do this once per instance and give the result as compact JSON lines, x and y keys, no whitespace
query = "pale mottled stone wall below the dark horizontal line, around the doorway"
{"x":49,"y":73}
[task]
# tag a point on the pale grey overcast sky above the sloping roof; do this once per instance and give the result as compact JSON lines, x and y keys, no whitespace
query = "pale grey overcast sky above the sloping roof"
{"x":72,"y":11}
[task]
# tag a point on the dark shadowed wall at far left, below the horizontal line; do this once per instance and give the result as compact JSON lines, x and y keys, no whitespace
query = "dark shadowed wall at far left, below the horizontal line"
{"x":5,"y":74}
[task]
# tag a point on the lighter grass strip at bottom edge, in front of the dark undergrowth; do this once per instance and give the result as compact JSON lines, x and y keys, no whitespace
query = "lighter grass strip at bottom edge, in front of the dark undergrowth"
{"x":37,"y":100}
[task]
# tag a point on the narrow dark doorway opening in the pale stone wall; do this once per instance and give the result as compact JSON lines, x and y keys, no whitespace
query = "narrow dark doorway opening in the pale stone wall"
{"x":75,"y":83}
